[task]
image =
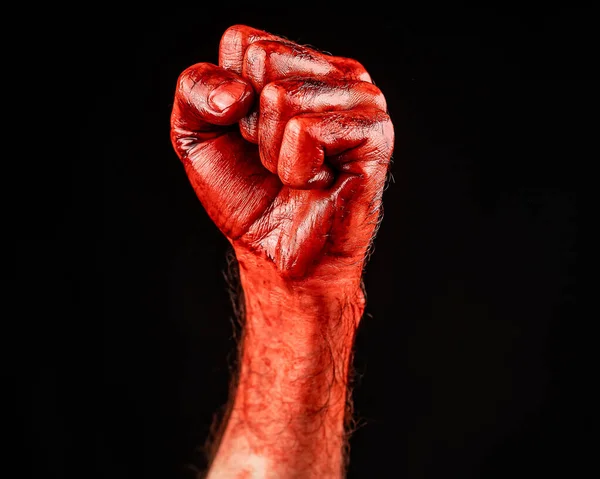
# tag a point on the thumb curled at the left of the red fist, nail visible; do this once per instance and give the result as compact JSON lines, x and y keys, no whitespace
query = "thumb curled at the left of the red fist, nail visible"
{"x":223,"y":169}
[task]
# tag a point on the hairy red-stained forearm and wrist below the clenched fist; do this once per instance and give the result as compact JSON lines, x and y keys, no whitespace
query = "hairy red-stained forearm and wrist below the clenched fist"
{"x":287,"y":415}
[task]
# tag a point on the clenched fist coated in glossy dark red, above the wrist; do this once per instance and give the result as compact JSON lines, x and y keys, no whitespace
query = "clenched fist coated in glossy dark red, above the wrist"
{"x":287,"y":149}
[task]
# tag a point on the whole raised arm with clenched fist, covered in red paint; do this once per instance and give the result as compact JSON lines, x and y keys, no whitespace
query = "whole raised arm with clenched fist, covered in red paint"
{"x":287,"y":149}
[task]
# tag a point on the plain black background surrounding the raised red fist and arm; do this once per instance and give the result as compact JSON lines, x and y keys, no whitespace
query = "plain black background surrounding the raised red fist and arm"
{"x":466,"y":360}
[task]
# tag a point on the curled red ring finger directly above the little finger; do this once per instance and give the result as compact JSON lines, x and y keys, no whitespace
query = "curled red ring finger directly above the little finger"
{"x":283,"y":99}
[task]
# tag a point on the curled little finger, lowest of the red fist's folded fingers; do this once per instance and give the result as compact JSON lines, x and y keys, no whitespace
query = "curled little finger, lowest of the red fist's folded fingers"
{"x":317,"y":147}
